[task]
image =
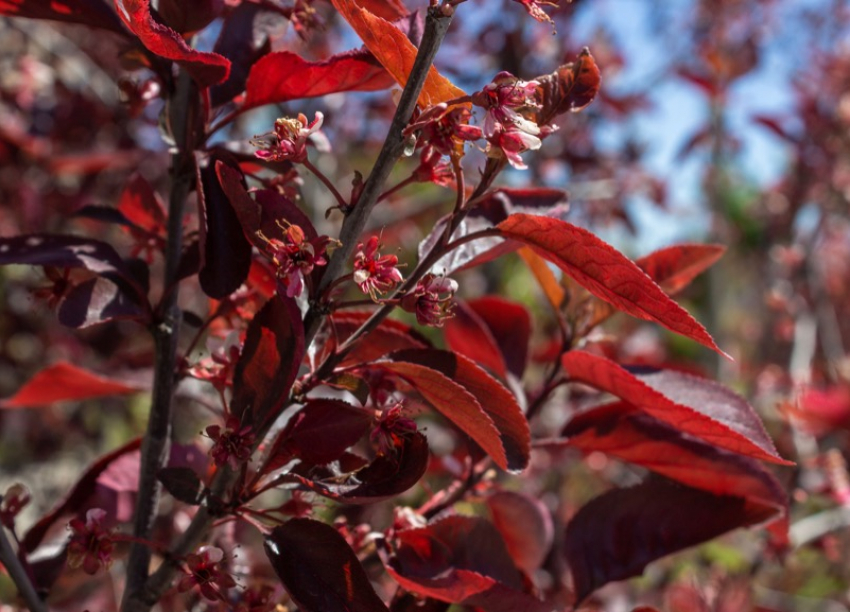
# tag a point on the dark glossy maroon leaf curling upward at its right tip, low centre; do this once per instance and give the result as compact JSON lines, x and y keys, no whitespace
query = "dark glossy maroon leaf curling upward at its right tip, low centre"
{"x":385,"y":477}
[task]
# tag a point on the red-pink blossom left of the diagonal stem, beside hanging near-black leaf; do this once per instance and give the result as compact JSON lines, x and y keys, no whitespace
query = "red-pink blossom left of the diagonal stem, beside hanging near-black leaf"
{"x":295,"y":256}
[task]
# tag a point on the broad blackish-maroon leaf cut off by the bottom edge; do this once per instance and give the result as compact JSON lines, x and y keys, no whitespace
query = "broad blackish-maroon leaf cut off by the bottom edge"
{"x":318,"y":568}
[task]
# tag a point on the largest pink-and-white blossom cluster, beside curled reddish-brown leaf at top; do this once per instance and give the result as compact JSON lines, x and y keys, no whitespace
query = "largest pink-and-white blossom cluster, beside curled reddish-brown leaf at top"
{"x":510,"y":103}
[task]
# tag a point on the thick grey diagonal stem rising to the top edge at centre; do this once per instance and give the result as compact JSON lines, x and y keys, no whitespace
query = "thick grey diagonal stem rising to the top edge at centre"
{"x":436,"y":26}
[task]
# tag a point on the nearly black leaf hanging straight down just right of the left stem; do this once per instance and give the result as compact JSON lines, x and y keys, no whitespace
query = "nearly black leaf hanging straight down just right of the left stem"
{"x":226,"y":253}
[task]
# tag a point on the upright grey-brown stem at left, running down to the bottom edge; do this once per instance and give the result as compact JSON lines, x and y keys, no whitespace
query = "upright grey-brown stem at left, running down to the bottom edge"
{"x":165,"y":330}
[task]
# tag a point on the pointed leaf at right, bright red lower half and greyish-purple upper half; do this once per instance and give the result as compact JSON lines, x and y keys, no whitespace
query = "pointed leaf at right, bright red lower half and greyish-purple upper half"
{"x":692,"y":405}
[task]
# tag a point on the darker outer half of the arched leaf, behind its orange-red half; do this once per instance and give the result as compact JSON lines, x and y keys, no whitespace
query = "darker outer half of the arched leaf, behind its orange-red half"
{"x":495,"y":400}
